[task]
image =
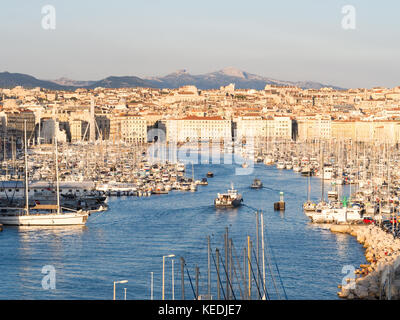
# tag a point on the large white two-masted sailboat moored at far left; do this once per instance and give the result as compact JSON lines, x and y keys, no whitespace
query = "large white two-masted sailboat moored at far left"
{"x":42,"y":215}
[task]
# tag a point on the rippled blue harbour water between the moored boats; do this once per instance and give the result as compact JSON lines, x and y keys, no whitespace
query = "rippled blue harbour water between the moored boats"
{"x":129,"y":240}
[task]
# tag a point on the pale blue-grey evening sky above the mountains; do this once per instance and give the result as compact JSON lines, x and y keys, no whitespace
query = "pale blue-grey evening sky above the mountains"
{"x":295,"y":40}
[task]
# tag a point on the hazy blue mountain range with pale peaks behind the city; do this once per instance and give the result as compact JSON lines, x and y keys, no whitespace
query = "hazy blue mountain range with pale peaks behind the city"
{"x":213,"y":80}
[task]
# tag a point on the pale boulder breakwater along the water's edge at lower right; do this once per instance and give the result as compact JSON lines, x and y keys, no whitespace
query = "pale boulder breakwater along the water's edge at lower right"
{"x":380,"y":279}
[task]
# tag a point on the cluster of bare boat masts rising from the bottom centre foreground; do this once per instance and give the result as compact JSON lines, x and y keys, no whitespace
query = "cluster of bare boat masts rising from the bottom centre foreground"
{"x":235,"y":279}
